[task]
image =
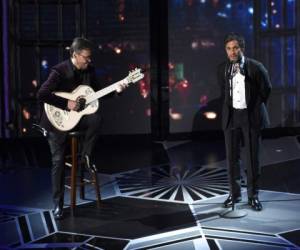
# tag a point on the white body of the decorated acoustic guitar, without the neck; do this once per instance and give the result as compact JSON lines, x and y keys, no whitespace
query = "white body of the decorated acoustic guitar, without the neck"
{"x":65,"y":120}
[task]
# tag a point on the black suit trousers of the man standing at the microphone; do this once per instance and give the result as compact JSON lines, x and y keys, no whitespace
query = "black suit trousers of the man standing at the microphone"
{"x":239,"y":133}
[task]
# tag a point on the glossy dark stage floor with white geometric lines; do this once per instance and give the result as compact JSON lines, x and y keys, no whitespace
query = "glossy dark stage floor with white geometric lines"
{"x":154,"y":196}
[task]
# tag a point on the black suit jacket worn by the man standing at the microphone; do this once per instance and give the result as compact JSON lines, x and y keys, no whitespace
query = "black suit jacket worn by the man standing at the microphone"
{"x":257,"y":91}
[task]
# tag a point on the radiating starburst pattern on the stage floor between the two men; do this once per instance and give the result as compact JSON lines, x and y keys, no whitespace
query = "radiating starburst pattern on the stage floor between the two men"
{"x":174,"y":183}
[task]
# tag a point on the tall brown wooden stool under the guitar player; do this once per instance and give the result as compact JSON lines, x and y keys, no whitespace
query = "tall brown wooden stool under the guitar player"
{"x":75,"y":137}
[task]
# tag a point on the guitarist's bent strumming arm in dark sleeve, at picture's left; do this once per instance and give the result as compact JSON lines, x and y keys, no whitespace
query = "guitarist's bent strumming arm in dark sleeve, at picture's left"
{"x":46,"y":95}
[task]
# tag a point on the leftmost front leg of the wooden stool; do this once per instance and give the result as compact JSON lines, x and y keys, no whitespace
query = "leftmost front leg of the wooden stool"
{"x":73,"y":173}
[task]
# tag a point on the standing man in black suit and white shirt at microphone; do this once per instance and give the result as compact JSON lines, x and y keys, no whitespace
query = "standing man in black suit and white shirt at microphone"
{"x":245,"y":88}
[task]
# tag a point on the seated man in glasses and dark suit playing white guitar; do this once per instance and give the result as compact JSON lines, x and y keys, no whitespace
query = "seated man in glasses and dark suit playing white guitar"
{"x":65,"y":77}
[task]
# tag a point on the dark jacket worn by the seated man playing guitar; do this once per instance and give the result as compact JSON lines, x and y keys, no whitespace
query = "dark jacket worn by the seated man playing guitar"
{"x":63,"y":77}
